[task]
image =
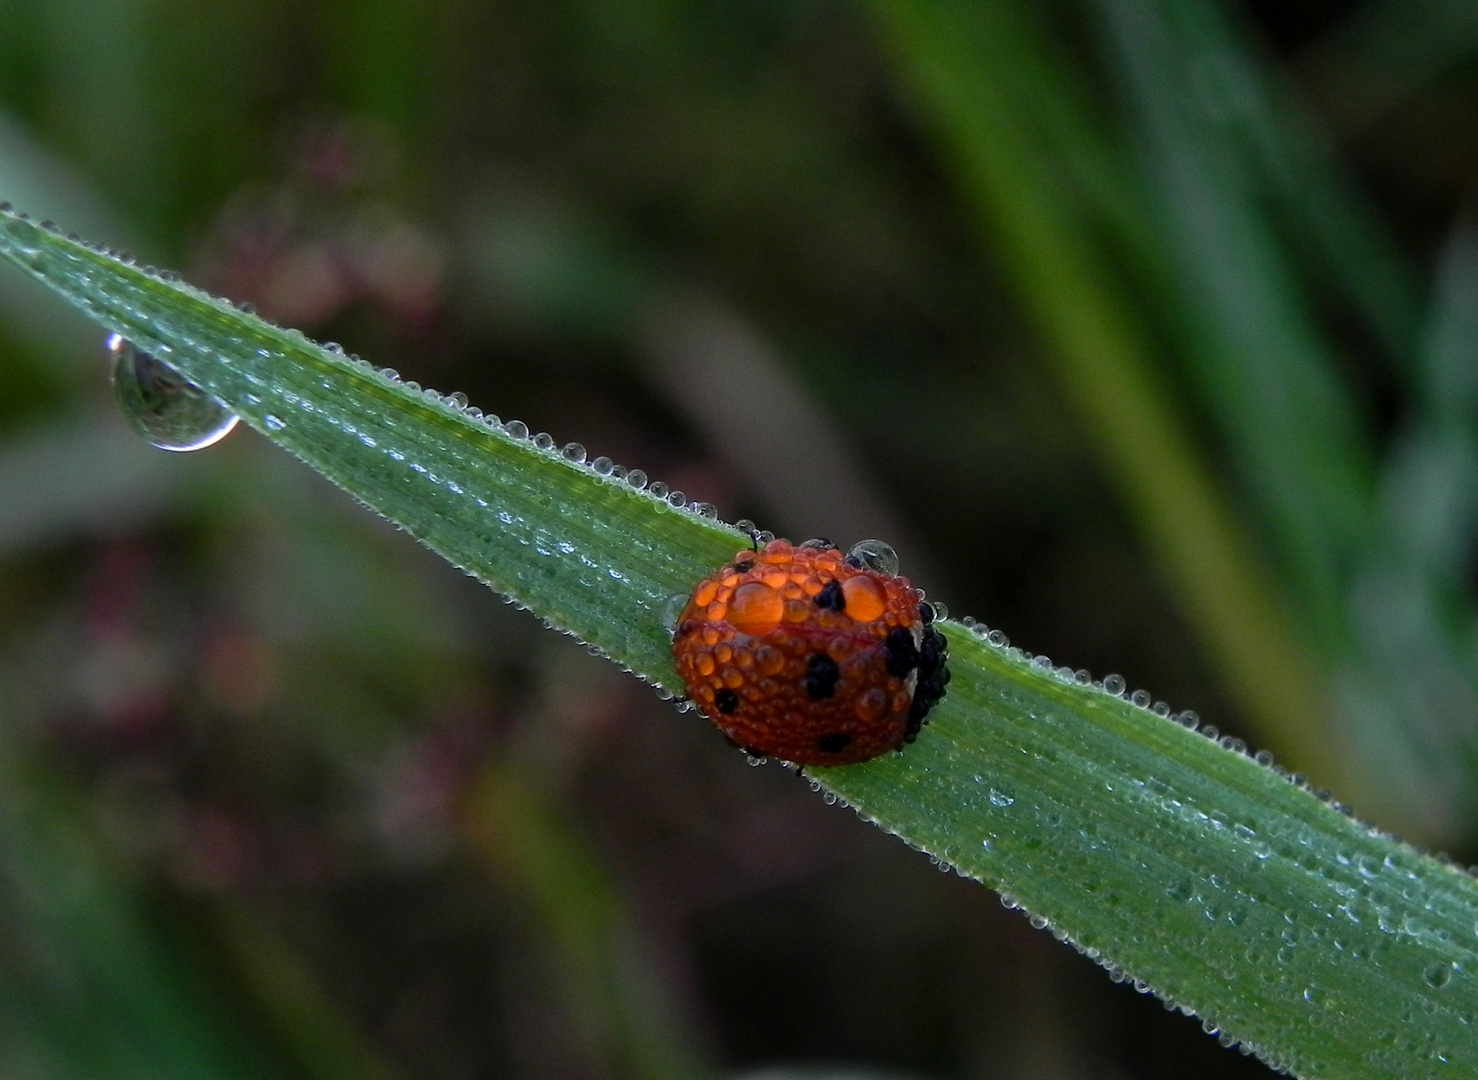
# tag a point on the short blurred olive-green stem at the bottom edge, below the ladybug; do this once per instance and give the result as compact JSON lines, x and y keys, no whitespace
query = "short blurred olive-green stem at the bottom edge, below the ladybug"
{"x":613,"y":994}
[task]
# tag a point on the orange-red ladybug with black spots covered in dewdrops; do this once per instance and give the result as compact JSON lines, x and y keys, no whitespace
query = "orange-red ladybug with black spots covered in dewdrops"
{"x":812,"y":657}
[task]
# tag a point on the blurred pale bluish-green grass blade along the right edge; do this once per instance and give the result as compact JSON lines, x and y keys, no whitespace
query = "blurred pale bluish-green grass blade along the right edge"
{"x":1412,"y":608}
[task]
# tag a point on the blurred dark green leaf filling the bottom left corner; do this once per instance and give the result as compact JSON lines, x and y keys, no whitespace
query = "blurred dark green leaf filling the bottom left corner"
{"x":89,"y":988}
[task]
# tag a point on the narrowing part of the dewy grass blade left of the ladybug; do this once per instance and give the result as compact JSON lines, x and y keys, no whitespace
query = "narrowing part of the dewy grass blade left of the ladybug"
{"x":585,"y":552}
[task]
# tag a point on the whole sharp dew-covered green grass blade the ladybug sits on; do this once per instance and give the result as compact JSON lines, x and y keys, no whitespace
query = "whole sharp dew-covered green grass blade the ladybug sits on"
{"x":1325,"y":946}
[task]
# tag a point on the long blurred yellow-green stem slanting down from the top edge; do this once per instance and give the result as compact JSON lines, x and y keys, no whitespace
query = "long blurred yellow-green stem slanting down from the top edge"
{"x":958,"y":60}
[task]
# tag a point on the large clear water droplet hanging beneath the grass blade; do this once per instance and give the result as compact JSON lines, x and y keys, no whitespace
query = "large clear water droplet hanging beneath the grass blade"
{"x":162,"y":406}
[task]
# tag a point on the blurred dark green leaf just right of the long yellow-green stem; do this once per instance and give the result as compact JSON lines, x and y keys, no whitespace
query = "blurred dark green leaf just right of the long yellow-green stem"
{"x":1261,"y":364}
